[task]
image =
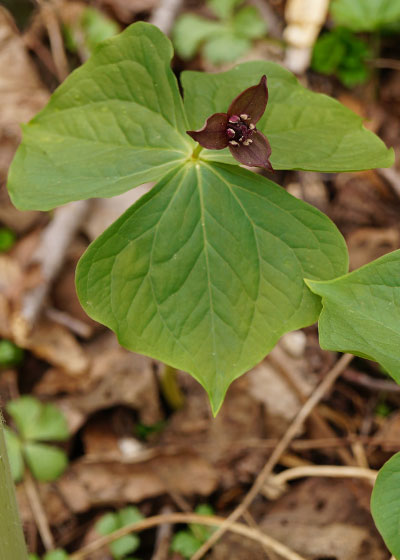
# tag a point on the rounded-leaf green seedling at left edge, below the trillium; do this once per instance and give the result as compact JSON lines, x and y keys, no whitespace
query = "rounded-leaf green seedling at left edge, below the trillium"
{"x":36,"y":423}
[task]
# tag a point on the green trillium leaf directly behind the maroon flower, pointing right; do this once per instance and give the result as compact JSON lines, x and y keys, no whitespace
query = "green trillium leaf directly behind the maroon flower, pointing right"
{"x":306,"y":130}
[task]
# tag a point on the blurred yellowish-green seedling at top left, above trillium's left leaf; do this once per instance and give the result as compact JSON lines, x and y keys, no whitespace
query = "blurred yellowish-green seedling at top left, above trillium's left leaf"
{"x":90,"y":29}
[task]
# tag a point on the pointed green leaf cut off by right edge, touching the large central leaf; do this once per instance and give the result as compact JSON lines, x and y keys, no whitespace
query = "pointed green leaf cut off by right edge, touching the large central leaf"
{"x":361,"y":312}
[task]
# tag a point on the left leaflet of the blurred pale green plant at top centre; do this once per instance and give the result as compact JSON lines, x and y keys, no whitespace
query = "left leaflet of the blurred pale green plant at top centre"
{"x":190,"y":31}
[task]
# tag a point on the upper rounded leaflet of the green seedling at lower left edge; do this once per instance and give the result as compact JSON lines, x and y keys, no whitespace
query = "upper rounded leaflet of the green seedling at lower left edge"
{"x":38,"y":421}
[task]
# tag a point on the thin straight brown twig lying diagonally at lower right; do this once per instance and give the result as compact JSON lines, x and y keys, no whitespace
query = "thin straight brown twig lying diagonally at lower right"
{"x":283,"y":444}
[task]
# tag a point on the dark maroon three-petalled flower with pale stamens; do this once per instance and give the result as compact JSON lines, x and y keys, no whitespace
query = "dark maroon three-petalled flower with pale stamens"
{"x":236,"y":129}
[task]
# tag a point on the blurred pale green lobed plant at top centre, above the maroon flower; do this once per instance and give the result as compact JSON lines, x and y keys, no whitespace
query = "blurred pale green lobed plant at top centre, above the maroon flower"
{"x":221,"y":40}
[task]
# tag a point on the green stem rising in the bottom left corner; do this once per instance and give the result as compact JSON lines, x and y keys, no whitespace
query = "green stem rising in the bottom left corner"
{"x":12,"y":542}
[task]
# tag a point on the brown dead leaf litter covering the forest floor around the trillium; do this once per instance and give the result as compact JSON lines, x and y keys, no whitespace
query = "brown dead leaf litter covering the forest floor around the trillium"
{"x":130,"y":443}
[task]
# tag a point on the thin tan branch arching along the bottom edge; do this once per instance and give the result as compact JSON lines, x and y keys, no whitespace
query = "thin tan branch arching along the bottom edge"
{"x":213,"y":521}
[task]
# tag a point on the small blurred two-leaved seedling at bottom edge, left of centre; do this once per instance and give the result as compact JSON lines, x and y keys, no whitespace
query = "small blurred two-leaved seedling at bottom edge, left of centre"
{"x":110,"y":522}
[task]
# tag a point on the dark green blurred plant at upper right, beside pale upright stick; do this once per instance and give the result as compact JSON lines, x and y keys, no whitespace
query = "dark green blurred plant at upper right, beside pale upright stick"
{"x":341,"y":53}
